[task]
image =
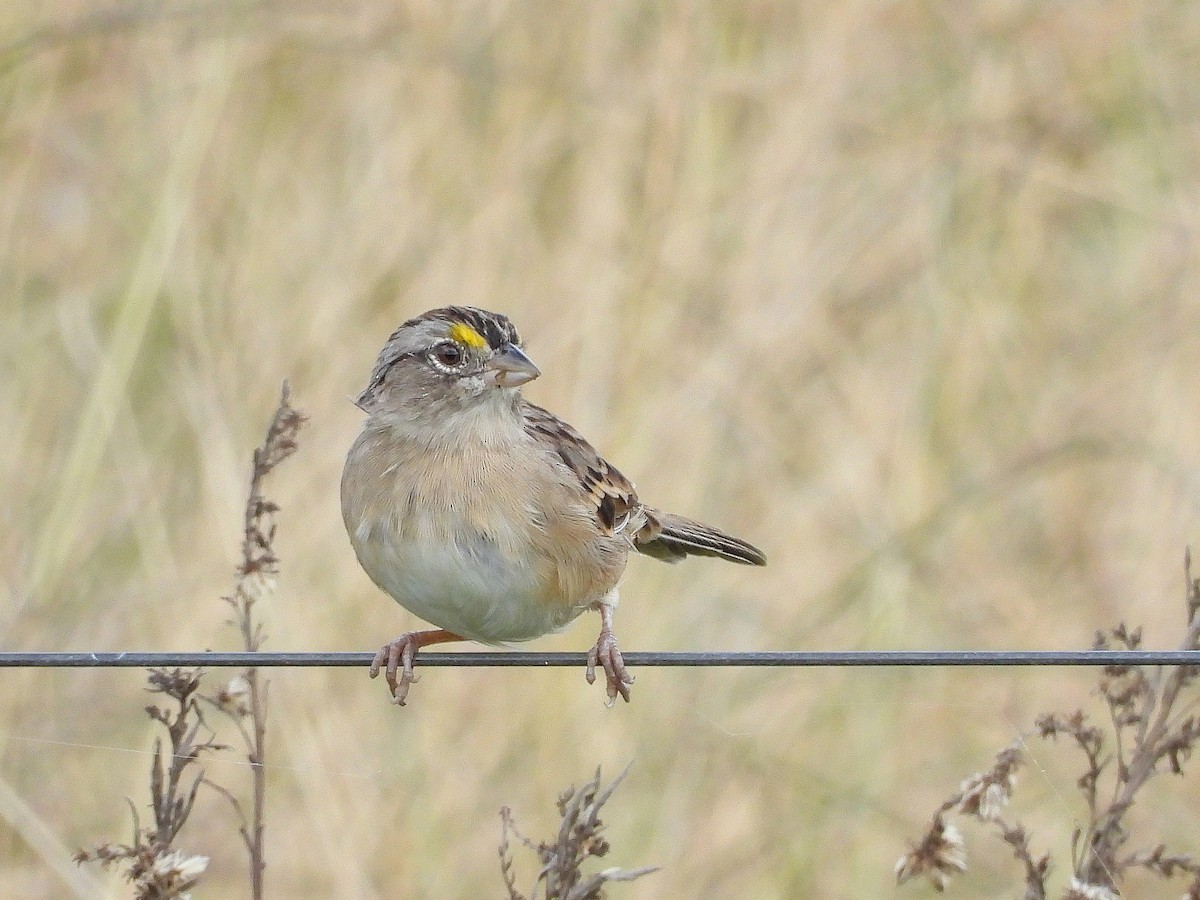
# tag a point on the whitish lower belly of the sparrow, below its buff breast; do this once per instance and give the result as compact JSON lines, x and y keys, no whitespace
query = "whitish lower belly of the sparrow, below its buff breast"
{"x":466,"y":585}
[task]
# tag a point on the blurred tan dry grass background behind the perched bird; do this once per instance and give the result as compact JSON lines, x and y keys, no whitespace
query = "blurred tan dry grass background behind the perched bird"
{"x":905,"y":293}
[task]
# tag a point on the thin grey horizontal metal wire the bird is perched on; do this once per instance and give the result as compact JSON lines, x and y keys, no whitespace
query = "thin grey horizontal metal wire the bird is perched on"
{"x":513,"y":658}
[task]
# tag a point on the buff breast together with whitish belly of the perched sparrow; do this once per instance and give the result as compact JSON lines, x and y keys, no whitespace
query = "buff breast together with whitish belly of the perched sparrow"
{"x":460,"y":539}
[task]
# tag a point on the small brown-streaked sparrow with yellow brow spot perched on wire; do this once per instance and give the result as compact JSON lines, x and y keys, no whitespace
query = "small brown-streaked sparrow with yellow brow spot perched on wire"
{"x":487,"y":515}
